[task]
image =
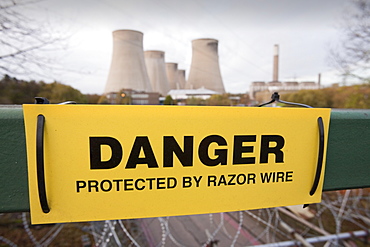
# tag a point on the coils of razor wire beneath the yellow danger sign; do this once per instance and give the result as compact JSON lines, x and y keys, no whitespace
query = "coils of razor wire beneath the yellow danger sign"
{"x":338,"y":212}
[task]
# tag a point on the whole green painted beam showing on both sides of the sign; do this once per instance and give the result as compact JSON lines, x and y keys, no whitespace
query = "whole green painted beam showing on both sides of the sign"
{"x":347,"y":165}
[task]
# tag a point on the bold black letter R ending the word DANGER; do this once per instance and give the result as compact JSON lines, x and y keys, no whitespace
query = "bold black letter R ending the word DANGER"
{"x":266,"y":149}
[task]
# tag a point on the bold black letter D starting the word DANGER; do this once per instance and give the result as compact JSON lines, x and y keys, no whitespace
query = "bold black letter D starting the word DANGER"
{"x":95,"y":152}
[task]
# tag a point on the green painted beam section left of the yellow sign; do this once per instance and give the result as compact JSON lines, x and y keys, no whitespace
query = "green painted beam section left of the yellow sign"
{"x":13,"y":161}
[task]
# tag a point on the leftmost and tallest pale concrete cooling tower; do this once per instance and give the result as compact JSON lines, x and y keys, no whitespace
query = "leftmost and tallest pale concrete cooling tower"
{"x":127,"y":70}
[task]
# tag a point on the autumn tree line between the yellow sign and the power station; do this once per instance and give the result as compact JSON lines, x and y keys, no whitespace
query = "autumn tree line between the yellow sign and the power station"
{"x":15,"y":91}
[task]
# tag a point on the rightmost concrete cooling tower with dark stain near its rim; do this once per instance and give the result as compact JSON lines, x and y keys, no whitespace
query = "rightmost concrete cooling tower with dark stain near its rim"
{"x":205,"y":69}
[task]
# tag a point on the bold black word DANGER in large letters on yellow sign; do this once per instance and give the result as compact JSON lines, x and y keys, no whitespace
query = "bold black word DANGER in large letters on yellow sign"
{"x":142,"y":151}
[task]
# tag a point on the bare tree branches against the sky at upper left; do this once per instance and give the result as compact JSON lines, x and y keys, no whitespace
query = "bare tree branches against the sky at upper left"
{"x":24,"y":41}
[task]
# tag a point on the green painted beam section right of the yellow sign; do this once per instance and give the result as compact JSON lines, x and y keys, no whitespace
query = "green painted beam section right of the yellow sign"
{"x":348,"y":153}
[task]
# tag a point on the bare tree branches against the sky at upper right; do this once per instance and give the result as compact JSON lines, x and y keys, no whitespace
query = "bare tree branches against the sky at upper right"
{"x":352,"y":57}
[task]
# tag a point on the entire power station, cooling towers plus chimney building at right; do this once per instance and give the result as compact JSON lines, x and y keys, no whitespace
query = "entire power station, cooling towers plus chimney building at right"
{"x":140,"y":76}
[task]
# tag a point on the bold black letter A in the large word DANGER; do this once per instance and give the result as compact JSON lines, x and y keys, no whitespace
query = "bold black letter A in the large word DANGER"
{"x":141,"y":143}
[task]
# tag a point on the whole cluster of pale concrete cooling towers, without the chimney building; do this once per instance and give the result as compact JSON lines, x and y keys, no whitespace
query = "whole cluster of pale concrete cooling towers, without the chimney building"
{"x":134,"y":70}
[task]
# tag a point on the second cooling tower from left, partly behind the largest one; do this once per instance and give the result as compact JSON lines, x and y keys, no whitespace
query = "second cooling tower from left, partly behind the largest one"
{"x":156,"y":67}
